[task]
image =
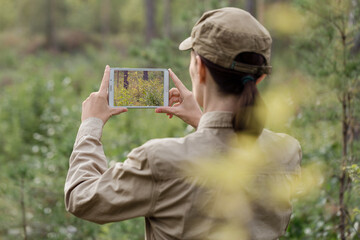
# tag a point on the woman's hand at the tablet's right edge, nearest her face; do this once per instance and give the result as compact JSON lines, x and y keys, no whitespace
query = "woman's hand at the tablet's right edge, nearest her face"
{"x":182,"y":103}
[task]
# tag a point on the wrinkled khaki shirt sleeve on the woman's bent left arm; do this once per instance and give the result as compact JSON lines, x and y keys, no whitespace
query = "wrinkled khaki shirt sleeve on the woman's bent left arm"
{"x":100,"y":194}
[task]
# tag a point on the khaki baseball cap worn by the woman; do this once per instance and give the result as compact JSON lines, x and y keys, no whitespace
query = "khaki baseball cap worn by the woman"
{"x":221,"y":34}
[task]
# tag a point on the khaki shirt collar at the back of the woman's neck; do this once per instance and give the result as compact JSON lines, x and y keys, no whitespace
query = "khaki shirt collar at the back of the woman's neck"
{"x":216,"y":120}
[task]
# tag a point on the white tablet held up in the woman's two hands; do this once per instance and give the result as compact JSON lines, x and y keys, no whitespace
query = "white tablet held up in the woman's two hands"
{"x":138,"y":87}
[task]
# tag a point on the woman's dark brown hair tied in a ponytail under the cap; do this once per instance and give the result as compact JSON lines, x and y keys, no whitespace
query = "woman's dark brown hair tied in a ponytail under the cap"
{"x":247,"y":119}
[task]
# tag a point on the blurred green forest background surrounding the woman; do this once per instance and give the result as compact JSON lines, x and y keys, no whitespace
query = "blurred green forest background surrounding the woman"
{"x":52,"y":55}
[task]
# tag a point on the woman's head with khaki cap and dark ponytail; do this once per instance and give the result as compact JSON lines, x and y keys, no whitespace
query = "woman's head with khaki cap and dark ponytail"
{"x":234,"y":48}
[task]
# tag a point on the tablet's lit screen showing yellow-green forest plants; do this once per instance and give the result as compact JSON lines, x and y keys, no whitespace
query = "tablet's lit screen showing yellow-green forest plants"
{"x":138,"y":88}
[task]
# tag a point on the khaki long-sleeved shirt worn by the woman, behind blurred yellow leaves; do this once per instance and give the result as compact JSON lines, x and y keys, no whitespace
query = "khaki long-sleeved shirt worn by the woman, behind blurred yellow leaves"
{"x":150,"y":182}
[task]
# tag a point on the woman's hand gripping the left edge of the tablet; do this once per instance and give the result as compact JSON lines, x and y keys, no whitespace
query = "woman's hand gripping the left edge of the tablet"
{"x":97,"y":105}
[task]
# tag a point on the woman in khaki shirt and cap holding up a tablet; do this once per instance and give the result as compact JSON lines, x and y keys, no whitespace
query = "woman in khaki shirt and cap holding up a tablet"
{"x":230,"y":54}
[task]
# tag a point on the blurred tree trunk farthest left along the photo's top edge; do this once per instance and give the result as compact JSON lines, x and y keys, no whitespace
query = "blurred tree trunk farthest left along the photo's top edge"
{"x":50,"y":25}
